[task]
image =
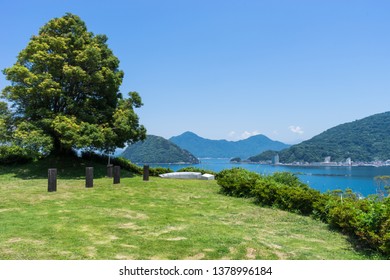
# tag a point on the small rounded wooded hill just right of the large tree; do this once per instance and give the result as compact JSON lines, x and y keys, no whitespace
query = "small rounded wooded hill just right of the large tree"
{"x":156,"y":149}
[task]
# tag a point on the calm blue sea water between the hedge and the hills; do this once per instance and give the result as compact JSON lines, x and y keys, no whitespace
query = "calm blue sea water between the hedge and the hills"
{"x":323,"y":178}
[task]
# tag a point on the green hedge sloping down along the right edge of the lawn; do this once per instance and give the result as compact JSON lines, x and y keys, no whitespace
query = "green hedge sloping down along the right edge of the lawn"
{"x":366,"y":220}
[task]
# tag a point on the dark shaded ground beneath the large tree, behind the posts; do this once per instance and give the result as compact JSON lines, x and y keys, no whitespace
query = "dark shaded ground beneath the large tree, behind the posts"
{"x":68,"y":167}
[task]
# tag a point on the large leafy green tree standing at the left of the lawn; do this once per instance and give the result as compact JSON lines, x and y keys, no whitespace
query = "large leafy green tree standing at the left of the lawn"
{"x":65,"y":86}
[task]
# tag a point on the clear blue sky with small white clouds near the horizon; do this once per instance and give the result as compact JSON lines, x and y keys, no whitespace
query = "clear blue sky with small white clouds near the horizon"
{"x":230,"y":69}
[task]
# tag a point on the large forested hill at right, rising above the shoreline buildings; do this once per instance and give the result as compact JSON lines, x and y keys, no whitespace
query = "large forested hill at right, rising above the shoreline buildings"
{"x":367,"y":140}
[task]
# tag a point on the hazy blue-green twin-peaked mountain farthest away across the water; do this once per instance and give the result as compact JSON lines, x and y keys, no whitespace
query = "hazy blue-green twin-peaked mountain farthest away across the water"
{"x":202,"y":147}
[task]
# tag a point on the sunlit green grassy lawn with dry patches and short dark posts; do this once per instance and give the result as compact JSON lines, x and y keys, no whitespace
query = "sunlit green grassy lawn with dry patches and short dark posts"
{"x":159,"y":219}
